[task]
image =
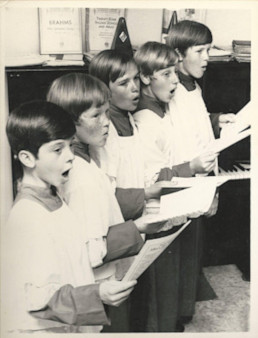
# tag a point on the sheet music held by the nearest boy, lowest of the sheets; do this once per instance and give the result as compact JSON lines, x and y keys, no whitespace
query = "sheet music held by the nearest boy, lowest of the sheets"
{"x":149,"y":252}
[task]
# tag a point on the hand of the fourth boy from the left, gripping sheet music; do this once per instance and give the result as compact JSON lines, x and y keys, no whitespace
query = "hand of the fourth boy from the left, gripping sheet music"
{"x":204,"y":163}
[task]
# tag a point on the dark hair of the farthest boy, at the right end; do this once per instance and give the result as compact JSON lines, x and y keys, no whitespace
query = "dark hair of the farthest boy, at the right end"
{"x":188,"y":33}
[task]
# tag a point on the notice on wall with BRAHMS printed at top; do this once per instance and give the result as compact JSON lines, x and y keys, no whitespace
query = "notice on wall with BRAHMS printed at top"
{"x":60,"y":31}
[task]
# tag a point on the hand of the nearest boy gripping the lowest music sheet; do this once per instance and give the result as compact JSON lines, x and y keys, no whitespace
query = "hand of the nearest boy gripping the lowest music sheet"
{"x":115,"y":292}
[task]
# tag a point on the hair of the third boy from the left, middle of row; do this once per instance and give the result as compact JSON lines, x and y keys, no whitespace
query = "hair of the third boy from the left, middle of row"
{"x":109,"y":65}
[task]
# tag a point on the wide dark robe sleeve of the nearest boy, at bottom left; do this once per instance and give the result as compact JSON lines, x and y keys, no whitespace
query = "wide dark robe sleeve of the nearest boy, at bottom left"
{"x":75,"y":306}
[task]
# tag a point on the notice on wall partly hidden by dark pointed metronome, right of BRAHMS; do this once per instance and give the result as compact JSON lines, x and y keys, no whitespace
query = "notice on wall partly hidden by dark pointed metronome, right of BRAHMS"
{"x":101,"y":26}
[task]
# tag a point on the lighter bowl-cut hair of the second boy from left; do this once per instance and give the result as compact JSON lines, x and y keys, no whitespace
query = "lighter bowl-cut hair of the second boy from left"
{"x":77,"y":92}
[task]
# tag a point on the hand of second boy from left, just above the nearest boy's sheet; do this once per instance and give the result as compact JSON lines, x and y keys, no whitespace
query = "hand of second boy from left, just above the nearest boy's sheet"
{"x":149,"y":224}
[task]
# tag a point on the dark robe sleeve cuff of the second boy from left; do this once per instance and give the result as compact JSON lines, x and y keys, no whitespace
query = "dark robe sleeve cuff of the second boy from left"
{"x":123,"y":240}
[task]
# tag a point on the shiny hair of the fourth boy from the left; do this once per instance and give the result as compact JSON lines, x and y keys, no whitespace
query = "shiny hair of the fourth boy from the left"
{"x":153,"y":56}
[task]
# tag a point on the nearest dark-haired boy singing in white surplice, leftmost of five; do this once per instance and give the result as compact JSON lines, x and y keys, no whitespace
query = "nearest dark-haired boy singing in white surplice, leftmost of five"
{"x":48,"y":283}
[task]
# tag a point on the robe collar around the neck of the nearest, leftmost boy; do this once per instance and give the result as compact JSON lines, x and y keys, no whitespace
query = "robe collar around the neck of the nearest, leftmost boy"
{"x":47,"y":197}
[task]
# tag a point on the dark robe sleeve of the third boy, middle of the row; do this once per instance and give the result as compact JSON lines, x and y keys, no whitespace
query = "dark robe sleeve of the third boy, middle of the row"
{"x":131,"y":202}
